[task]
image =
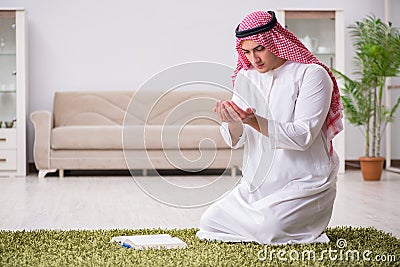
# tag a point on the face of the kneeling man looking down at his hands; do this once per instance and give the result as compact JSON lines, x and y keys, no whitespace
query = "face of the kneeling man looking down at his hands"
{"x":259,"y":56}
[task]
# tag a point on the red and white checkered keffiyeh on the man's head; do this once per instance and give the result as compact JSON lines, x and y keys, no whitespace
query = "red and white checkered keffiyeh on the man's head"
{"x":282,"y":43}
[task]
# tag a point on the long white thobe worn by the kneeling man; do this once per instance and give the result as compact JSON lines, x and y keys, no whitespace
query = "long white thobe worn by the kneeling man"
{"x":288,"y":186}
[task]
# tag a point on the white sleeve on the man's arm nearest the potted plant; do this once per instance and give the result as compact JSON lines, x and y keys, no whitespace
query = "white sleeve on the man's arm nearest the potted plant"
{"x":311,"y":108}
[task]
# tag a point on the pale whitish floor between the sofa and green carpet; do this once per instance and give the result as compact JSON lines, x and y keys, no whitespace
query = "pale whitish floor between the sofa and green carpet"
{"x":117,"y":202}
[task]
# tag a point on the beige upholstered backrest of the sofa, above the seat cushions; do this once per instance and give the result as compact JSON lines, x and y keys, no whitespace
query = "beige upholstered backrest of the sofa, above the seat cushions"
{"x":137,"y":108}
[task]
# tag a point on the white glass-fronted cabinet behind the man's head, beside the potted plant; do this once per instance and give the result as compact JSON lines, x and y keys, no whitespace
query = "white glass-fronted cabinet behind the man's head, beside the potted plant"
{"x":323,"y":32}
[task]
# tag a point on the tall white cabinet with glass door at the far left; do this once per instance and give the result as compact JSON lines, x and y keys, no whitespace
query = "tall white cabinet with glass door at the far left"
{"x":13,"y":92}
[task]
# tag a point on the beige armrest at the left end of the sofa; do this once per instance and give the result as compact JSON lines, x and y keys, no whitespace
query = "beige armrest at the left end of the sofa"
{"x":43,"y":123}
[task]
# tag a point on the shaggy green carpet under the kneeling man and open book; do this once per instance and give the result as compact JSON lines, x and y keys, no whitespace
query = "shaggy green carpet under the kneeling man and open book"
{"x":348,"y":247}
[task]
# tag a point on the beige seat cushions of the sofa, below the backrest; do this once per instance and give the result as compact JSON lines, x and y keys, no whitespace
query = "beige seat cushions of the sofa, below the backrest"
{"x":154,"y":137}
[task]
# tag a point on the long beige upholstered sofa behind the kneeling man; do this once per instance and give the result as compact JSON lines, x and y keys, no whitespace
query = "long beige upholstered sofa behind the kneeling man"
{"x":117,"y":130}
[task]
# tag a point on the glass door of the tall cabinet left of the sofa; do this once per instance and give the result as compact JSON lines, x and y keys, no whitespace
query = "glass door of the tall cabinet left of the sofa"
{"x":7,"y":69}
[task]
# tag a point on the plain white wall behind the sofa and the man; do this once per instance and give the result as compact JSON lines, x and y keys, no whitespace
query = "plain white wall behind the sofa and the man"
{"x":107,"y":45}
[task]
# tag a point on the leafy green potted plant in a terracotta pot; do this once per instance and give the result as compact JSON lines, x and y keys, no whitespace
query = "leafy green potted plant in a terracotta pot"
{"x":377,"y":56}
